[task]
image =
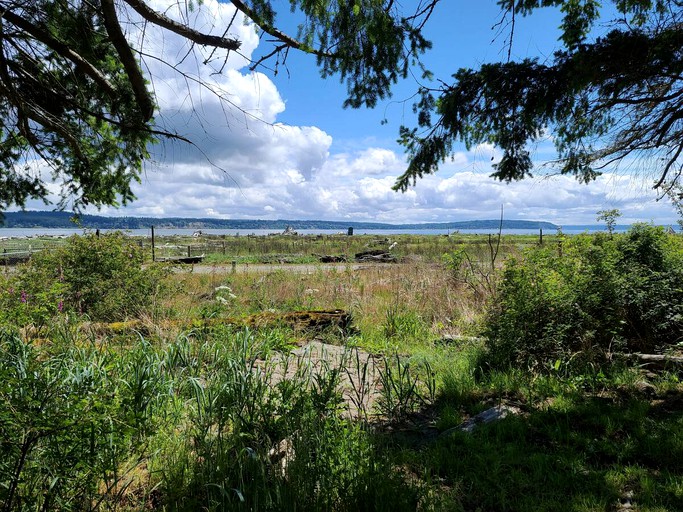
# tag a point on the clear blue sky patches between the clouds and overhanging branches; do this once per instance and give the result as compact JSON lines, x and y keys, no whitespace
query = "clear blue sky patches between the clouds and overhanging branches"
{"x":463,"y":36}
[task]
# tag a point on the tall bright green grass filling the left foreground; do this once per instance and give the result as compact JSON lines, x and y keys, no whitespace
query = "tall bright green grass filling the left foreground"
{"x":207,"y":421}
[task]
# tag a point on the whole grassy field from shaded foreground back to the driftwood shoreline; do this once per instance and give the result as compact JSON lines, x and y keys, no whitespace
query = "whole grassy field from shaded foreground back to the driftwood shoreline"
{"x":194,"y":390}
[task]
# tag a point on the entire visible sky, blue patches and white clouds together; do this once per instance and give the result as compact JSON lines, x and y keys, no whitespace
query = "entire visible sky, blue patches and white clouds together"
{"x":297,"y":154}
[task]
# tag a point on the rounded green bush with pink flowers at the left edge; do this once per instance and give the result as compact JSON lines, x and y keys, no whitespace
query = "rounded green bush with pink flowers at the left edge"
{"x":102,"y":277}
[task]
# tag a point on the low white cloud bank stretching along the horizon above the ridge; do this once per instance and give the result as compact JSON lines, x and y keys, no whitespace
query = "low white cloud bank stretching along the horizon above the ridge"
{"x":359,"y":187}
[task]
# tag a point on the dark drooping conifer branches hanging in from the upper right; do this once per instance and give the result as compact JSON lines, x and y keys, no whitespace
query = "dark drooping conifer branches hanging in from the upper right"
{"x":602,"y":99}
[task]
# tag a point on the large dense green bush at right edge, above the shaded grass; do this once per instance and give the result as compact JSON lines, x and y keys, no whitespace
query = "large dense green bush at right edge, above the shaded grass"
{"x":594,"y":296}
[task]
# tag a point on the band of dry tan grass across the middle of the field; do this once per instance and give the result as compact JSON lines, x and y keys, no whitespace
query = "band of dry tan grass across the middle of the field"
{"x":371,"y":293}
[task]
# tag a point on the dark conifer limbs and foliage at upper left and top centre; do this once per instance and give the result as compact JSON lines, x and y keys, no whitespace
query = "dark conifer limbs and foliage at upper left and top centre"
{"x":73,"y":92}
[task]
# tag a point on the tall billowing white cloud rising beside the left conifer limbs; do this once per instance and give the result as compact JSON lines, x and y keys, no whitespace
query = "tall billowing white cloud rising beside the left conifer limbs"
{"x":230,"y":115}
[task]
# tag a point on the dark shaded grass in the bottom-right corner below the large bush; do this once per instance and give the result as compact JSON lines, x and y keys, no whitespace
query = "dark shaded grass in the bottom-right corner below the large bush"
{"x":579,"y":453}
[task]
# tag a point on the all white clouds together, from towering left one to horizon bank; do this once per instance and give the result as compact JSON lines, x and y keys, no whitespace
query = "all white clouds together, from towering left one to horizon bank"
{"x":245,"y":163}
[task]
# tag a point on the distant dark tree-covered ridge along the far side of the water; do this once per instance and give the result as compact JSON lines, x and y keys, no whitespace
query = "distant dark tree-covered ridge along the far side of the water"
{"x":66,"y":220}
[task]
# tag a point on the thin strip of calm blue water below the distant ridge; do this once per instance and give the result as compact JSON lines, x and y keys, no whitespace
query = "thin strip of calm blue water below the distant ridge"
{"x":32,"y":232}
